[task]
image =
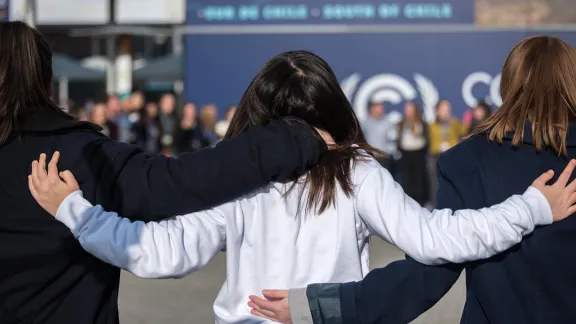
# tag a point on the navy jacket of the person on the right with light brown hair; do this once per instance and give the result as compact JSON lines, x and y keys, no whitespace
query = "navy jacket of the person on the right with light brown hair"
{"x":532,"y":283}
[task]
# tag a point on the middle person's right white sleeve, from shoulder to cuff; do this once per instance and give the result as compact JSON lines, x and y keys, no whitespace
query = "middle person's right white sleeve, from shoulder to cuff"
{"x":443,"y":236}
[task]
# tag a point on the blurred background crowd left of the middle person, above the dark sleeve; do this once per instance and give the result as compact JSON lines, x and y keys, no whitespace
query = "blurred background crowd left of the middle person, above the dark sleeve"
{"x":157,"y":127}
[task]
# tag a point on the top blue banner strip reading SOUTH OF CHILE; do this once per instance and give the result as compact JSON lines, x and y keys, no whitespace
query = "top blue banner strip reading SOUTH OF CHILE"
{"x":214,"y":12}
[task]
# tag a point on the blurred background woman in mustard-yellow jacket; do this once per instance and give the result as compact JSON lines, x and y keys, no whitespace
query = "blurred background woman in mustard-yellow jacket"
{"x":444,"y":133}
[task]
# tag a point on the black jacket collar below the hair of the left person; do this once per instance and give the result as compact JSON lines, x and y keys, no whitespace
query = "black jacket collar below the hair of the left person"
{"x":46,"y":120}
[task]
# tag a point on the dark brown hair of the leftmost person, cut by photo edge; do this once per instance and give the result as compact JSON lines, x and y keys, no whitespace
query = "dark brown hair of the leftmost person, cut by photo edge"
{"x":25,"y":75}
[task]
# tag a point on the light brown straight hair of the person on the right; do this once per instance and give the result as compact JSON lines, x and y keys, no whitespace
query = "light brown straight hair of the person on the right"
{"x":539,"y":86}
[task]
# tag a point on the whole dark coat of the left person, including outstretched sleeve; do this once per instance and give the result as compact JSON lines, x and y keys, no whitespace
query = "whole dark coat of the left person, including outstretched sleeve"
{"x":45,"y":276}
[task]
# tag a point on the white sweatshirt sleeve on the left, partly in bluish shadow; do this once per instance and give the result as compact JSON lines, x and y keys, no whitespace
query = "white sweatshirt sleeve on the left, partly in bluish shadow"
{"x":168,"y":249}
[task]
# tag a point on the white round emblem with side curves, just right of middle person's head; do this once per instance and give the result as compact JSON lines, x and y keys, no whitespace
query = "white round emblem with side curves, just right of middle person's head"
{"x":389,"y":88}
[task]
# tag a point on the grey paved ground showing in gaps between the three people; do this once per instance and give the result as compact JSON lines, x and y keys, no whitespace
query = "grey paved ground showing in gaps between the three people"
{"x":189,"y":300}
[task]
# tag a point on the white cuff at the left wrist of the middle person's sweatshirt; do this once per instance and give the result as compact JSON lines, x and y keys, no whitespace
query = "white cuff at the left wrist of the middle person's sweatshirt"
{"x":72,"y":211}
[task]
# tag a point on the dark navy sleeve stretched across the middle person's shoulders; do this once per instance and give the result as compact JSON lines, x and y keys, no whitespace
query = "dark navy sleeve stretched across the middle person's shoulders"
{"x":153,"y":188}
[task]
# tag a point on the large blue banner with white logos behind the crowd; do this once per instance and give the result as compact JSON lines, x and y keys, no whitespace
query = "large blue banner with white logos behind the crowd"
{"x":393,"y":68}
